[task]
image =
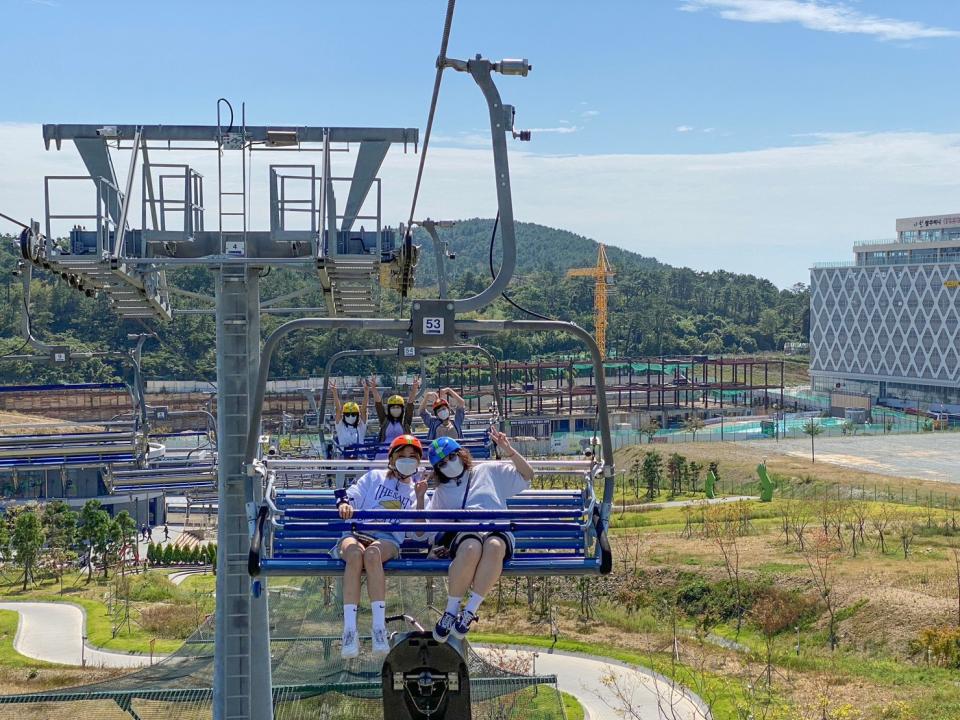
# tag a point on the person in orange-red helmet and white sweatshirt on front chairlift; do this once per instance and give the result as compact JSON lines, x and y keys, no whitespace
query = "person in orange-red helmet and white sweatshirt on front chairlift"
{"x":398,"y":487}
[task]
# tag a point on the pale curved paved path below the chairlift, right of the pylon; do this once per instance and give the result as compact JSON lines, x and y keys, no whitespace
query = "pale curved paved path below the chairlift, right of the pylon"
{"x":653,"y":697}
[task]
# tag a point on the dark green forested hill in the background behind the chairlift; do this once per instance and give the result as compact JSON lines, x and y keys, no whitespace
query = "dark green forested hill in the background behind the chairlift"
{"x":654,"y":309}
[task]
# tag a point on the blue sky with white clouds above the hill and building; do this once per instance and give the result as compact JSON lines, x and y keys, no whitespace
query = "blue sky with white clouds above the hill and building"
{"x":754,"y":136}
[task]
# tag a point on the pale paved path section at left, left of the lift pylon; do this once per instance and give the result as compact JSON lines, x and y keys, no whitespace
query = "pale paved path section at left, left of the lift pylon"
{"x":54,"y":632}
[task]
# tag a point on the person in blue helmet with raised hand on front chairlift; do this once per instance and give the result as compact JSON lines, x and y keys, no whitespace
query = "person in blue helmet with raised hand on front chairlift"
{"x":477,"y":557}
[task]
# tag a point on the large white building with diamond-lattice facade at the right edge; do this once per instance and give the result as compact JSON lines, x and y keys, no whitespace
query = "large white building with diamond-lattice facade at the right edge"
{"x":888,"y":323}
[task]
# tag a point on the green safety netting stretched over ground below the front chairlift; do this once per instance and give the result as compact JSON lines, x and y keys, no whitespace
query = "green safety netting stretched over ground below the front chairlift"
{"x":310,"y":679}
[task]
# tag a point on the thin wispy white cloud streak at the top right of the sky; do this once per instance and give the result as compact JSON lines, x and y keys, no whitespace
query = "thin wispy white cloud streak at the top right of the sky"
{"x":816,"y":15}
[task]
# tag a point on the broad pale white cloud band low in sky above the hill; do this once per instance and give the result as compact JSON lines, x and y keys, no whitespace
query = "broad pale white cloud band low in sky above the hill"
{"x":769,"y":212}
